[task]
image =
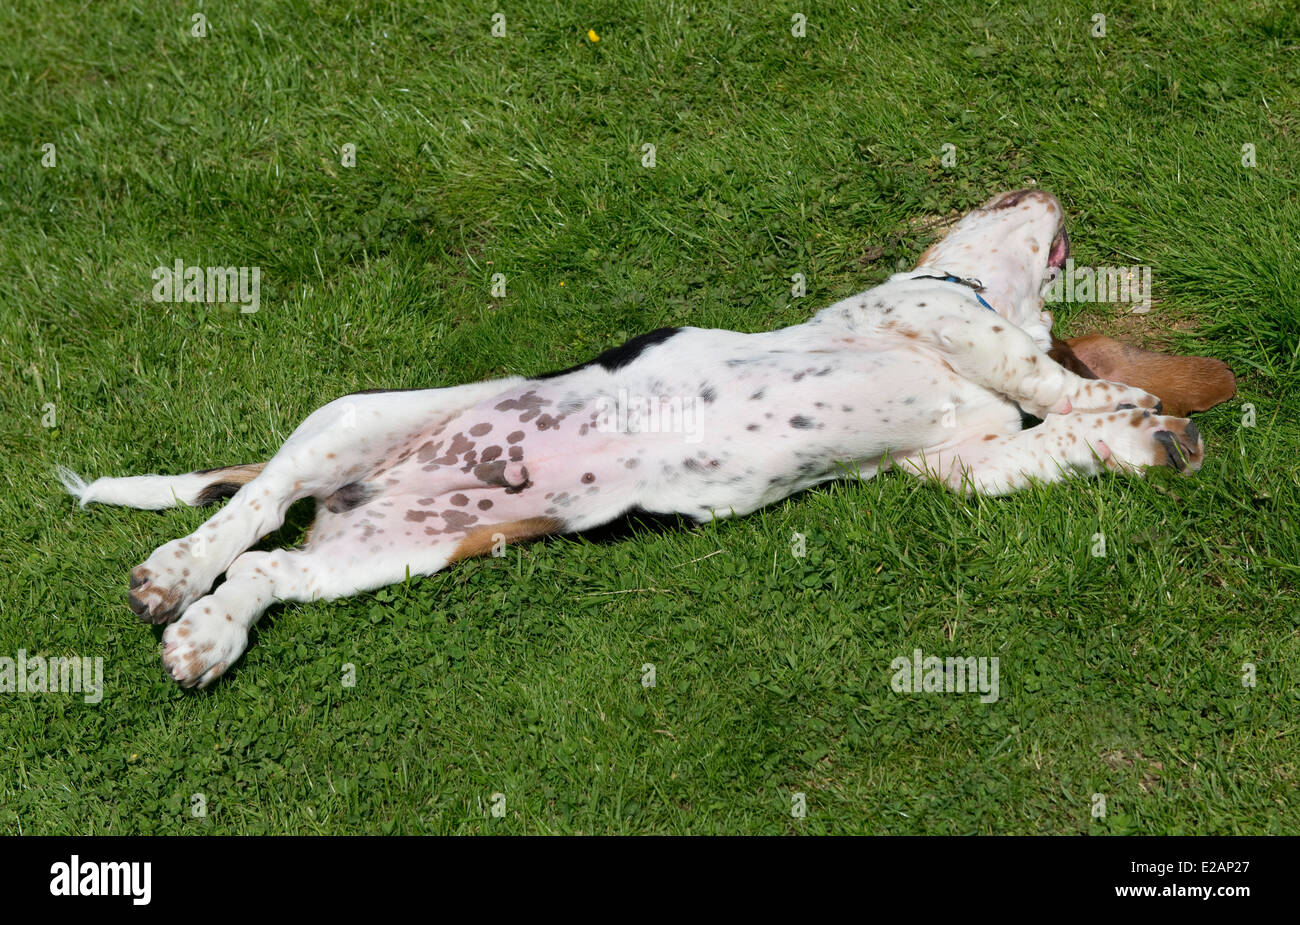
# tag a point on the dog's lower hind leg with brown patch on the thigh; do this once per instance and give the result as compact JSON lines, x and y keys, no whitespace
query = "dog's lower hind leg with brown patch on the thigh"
{"x":214,"y":632}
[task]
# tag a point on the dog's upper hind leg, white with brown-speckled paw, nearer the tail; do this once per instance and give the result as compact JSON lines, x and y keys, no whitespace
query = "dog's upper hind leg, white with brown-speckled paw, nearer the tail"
{"x":335,"y":450}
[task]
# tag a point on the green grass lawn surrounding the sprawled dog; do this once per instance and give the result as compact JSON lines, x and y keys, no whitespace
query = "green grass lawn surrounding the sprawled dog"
{"x":522,"y":155}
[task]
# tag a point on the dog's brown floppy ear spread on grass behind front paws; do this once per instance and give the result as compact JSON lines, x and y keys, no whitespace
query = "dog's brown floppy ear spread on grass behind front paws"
{"x":1184,"y":384}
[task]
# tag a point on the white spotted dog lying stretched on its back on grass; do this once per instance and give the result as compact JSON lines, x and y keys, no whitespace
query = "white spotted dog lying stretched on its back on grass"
{"x":931,"y":374}
